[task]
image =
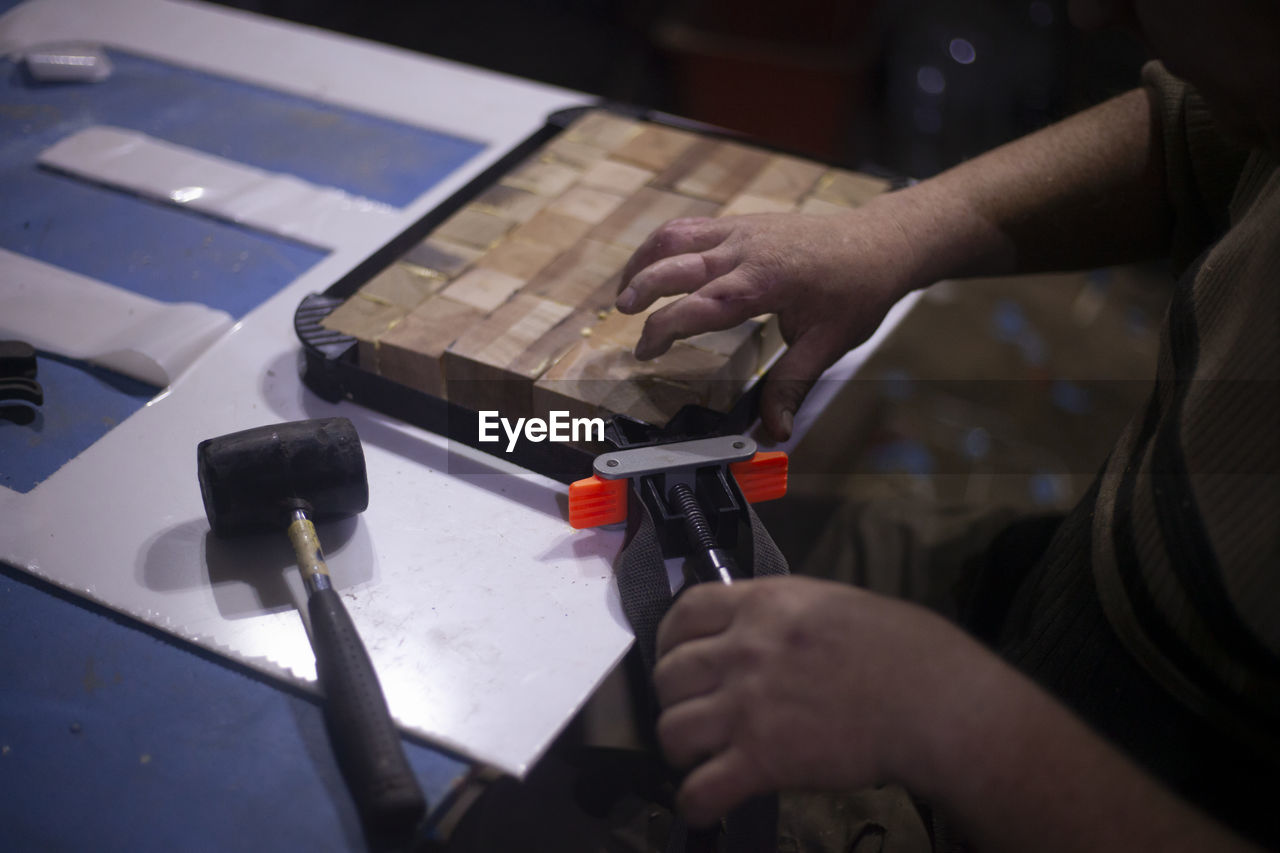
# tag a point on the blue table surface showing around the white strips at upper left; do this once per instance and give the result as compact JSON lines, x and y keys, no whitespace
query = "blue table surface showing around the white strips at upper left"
{"x":164,"y":252}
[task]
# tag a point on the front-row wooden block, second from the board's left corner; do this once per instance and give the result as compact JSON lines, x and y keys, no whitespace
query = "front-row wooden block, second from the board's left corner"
{"x":412,"y":352}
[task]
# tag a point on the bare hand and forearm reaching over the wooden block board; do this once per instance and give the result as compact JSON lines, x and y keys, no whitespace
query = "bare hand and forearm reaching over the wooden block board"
{"x":1085,"y":193}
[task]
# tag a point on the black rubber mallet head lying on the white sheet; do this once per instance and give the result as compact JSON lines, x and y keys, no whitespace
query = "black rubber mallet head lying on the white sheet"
{"x":253,"y":481}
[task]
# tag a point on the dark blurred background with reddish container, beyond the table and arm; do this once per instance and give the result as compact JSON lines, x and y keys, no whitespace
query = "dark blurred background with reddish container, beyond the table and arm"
{"x":912,"y":86}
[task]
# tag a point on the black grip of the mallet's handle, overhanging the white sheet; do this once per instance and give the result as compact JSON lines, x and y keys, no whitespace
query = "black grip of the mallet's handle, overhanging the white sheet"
{"x":364,"y":738}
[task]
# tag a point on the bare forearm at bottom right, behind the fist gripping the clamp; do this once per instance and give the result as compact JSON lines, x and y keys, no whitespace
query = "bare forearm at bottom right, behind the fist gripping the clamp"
{"x":1020,"y":773}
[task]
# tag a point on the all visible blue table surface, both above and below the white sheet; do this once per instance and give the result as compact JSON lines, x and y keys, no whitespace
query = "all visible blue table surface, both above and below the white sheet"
{"x":115,"y":736}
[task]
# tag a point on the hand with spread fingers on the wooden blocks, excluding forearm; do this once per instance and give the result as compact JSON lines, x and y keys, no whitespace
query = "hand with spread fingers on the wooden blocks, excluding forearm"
{"x":830,"y":280}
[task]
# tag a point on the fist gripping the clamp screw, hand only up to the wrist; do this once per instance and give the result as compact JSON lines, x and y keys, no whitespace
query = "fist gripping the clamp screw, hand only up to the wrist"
{"x":798,"y":683}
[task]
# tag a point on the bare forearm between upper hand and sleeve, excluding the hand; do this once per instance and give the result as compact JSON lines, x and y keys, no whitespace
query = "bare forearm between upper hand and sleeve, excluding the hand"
{"x":1085,"y":193}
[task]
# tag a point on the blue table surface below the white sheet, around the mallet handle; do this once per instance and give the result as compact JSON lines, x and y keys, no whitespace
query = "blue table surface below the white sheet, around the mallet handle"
{"x":115,"y":737}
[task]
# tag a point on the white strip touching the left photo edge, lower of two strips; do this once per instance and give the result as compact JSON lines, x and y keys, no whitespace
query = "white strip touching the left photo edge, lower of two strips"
{"x":74,"y":316}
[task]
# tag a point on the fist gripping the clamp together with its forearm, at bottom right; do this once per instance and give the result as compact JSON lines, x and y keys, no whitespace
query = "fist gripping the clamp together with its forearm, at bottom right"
{"x":792,"y":683}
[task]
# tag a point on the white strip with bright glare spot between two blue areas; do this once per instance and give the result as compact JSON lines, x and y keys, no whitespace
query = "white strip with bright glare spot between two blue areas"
{"x":278,"y":204}
